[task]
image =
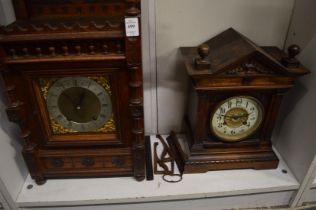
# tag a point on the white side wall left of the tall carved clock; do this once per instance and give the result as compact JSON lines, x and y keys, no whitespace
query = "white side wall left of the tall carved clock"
{"x":12,"y":168}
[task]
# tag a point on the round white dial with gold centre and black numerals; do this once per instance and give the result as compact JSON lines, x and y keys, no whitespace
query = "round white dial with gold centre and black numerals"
{"x":236,"y":118}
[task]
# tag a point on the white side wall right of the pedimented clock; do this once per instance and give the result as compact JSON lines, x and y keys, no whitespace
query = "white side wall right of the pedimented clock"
{"x":296,"y":136}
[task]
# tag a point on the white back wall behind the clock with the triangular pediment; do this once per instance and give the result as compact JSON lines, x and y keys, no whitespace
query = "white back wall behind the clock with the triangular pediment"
{"x":191,"y":22}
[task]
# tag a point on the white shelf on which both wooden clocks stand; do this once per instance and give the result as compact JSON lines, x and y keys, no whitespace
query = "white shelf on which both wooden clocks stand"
{"x":67,"y":192}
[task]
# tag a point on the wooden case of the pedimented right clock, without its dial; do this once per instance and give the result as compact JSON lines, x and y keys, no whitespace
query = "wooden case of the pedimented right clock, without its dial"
{"x":231,"y":65}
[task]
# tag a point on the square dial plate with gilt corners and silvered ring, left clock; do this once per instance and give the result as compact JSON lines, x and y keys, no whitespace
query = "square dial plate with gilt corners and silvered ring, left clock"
{"x":78,"y":104}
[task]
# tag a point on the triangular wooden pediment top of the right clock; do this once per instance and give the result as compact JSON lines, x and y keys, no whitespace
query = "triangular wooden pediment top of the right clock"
{"x":233,"y":55}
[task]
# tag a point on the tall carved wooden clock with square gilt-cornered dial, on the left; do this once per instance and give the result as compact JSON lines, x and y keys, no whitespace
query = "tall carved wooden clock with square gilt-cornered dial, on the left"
{"x":72,"y":71}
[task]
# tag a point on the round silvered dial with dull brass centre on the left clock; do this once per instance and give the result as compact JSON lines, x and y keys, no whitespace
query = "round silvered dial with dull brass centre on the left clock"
{"x":79,"y":104}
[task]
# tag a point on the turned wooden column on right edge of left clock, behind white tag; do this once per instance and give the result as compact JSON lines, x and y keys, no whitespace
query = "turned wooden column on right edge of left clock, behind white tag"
{"x":133,"y":56}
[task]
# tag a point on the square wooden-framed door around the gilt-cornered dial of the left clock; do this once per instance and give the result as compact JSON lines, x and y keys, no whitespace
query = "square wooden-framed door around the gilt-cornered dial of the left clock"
{"x":78,"y":109}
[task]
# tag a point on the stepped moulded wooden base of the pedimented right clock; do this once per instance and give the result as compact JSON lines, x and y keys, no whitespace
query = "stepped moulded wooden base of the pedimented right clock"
{"x":222,"y":159}
